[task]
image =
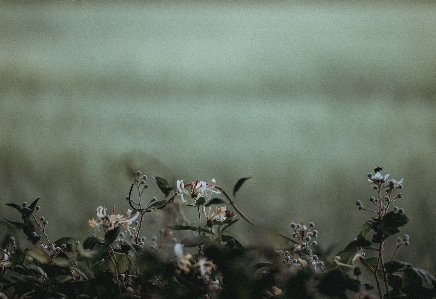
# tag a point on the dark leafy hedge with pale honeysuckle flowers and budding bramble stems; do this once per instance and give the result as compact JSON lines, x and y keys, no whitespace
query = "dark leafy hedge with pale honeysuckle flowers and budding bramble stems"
{"x":207,"y":262}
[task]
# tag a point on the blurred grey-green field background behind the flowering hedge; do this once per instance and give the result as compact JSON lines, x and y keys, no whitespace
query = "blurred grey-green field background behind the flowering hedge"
{"x":305,"y":98}
